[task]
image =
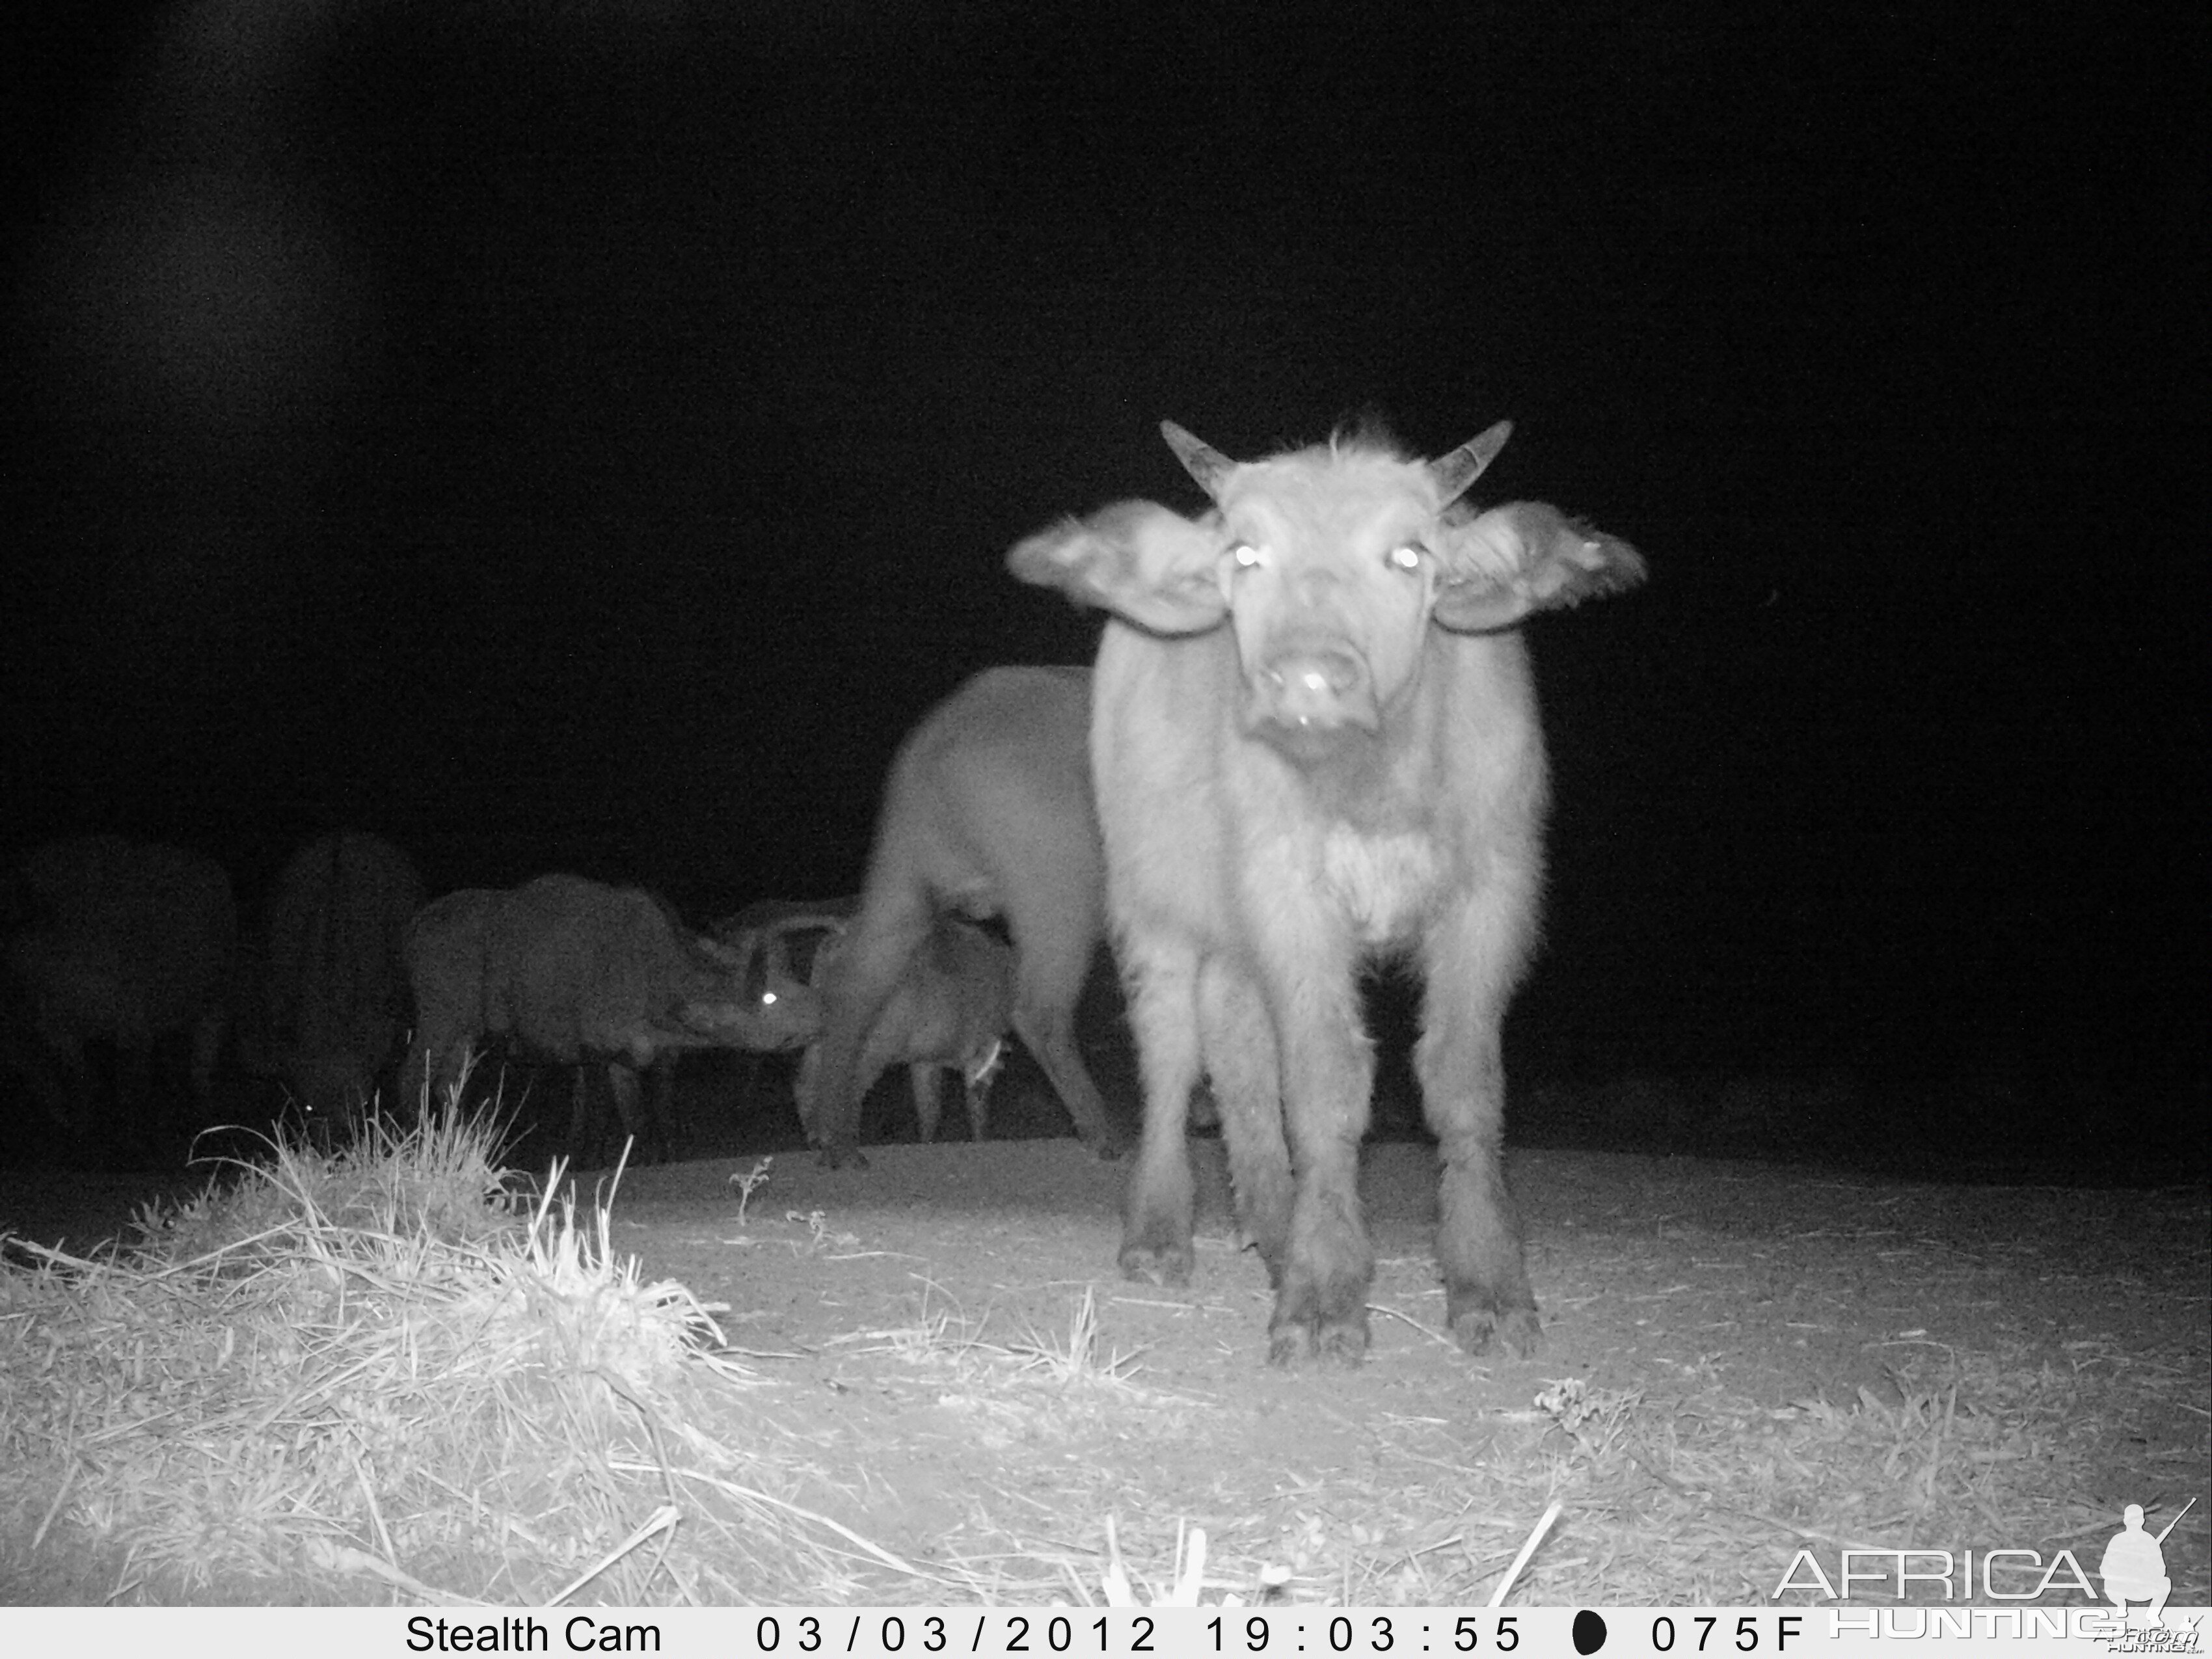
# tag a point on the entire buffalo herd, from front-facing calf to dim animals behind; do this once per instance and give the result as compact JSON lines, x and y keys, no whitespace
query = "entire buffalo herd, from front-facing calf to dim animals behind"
{"x":1308,"y":744}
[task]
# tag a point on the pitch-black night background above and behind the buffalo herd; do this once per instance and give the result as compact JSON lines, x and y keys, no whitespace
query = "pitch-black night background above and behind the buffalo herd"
{"x":587,"y":435}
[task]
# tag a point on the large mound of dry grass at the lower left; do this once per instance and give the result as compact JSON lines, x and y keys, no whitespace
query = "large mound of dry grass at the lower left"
{"x":379,"y":1375}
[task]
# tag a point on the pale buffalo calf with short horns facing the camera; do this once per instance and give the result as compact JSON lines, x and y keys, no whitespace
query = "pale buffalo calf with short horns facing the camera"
{"x":1315,"y":744}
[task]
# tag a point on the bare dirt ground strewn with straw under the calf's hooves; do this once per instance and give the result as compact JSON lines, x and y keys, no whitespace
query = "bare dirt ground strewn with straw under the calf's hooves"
{"x":1742,"y":1361}
